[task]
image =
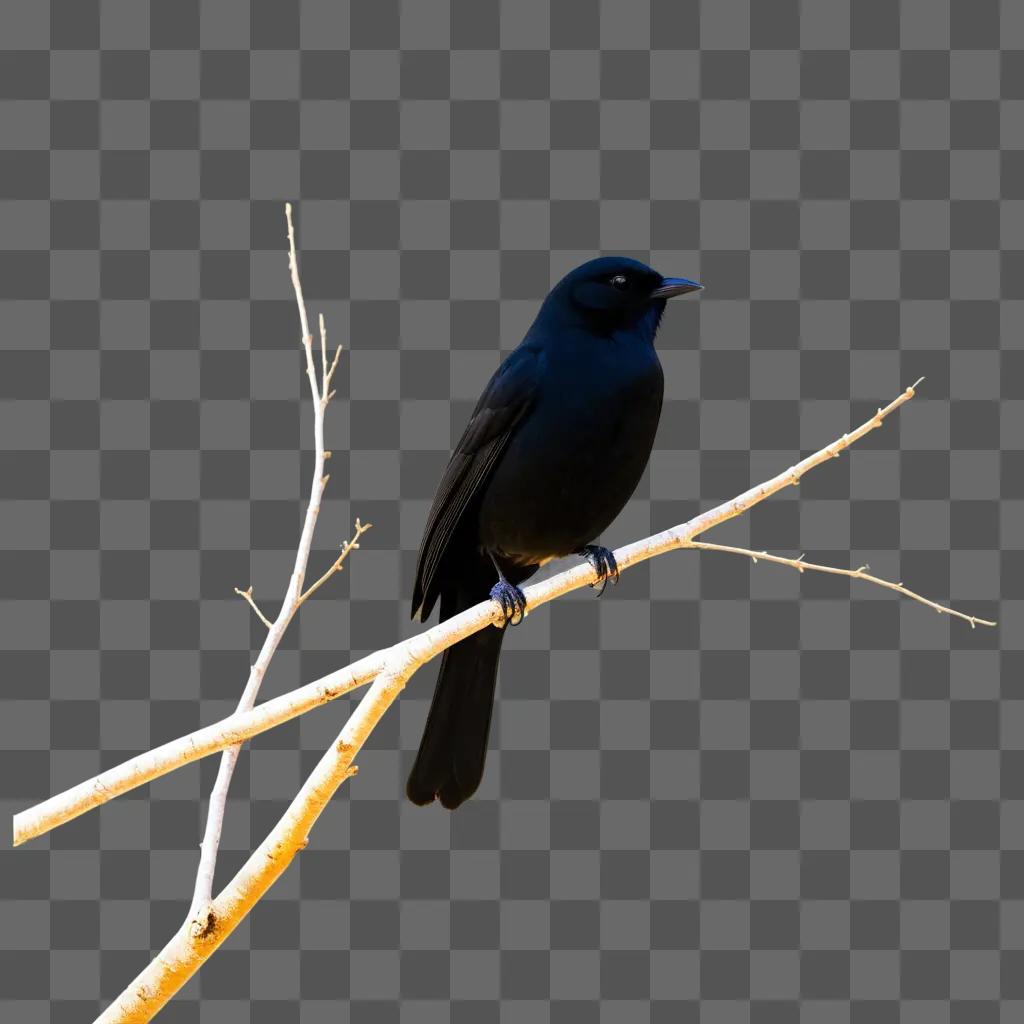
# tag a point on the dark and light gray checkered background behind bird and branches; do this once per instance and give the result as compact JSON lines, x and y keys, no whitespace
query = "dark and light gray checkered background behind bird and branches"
{"x":724,"y":792}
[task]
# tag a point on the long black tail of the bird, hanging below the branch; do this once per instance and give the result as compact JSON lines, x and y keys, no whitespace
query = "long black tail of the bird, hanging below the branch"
{"x":450,"y":762}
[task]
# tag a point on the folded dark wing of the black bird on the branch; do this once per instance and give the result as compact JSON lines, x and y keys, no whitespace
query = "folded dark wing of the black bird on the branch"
{"x":501,"y":408}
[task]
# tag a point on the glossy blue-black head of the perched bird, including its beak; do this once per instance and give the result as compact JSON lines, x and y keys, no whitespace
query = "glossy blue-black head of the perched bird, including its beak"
{"x":613,"y":293}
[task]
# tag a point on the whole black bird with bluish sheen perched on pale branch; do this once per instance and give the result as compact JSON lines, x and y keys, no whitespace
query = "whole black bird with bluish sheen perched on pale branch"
{"x":553,"y":451}
